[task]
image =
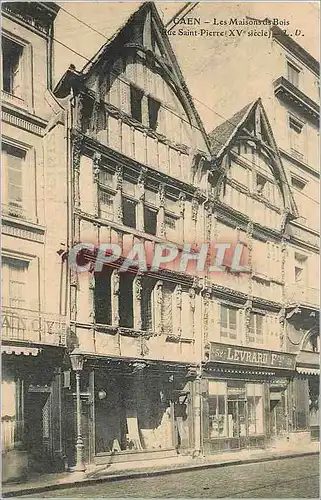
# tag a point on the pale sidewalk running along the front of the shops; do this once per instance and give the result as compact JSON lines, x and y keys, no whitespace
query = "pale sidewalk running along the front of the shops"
{"x":117,"y":472}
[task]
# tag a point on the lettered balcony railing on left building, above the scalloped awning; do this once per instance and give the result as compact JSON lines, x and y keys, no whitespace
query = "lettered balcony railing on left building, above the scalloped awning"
{"x":23,"y":325}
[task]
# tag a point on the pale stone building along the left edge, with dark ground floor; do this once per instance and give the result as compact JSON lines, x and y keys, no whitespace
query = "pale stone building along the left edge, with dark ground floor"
{"x":33,"y":326}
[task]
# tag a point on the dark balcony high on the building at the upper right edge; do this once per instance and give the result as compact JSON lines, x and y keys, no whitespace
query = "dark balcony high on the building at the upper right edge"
{"x":292,"y":95}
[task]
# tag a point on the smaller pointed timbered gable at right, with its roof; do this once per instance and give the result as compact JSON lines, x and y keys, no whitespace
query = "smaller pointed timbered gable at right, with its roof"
{"x":252,"y":161}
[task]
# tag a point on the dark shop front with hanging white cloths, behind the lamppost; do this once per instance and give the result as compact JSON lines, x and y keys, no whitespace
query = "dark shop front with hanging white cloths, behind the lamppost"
{"x":131,"y":410}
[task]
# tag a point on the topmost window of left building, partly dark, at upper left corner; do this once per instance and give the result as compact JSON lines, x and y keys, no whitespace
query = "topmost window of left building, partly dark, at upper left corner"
{"x":11,"y":67}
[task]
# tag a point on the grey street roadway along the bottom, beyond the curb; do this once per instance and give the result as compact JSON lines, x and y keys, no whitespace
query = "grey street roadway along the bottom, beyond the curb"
{"x":286,"y":478}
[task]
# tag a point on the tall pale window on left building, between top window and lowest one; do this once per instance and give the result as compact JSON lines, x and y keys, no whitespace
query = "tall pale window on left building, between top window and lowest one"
{"x":13,"y":160}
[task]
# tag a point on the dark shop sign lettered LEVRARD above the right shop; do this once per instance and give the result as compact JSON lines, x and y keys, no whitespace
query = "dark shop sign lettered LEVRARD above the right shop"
{"x":251,"y":357}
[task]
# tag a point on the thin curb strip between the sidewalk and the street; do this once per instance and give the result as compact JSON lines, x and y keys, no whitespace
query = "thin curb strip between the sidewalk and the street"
{"x":137,"y":475}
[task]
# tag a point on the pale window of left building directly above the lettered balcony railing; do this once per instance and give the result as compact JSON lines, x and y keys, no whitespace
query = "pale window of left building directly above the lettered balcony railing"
{"x":14,"y":283}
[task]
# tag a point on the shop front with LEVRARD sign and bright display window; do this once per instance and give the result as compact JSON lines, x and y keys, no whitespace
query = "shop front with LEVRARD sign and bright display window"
{"x":244,"y":397}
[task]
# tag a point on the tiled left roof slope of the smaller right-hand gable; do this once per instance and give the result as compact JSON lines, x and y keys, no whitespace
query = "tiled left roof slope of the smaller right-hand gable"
{"x":221,"y":136}
